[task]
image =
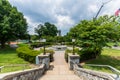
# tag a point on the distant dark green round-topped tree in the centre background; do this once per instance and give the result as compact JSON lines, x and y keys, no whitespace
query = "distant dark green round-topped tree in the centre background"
{"x":47,"y":29}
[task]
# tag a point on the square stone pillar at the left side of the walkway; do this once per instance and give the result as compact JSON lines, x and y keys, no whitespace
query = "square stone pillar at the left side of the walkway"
{"x":43,"y":59}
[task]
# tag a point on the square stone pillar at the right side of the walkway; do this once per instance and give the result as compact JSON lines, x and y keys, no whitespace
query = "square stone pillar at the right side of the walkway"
{"x":73,"y":59}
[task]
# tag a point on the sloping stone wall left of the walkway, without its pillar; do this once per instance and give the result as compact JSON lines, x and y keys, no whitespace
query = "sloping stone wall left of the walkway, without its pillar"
{"x":31,"y":74}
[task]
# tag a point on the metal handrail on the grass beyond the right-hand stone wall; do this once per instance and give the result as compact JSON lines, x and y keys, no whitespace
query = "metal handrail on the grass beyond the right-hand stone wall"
{"x":114,"y":70}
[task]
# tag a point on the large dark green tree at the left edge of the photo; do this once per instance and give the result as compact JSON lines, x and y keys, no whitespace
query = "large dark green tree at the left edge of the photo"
{"x":12,"y":23}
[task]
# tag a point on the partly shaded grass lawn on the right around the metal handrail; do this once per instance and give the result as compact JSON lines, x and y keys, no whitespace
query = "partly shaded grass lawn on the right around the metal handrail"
{"x":108,"y":57}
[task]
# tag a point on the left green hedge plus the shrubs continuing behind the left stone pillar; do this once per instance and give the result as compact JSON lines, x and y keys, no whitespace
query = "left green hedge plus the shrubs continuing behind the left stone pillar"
{"x":29,"y":55}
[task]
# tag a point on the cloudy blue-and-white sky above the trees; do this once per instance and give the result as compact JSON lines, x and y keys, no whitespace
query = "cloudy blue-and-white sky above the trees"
{"x":63,"y":13}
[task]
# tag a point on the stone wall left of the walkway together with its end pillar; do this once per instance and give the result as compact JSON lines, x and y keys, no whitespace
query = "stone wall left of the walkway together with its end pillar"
{"x":31,"y":74}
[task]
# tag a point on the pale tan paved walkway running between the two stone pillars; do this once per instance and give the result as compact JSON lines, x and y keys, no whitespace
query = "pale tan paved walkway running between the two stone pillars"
{"x":59,"y":69}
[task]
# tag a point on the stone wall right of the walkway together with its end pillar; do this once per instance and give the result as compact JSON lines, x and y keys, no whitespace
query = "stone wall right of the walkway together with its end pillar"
{"x":85,"y":74}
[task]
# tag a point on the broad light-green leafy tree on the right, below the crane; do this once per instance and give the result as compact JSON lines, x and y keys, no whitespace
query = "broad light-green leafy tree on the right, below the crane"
{"x":93,"y":35}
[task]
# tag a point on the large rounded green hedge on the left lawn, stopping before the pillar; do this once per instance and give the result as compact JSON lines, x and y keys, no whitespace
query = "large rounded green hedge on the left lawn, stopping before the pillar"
{"x":27,"y":54}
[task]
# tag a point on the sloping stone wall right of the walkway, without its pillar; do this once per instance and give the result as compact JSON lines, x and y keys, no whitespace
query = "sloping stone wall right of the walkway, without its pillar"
{"x":91,"y":74}
